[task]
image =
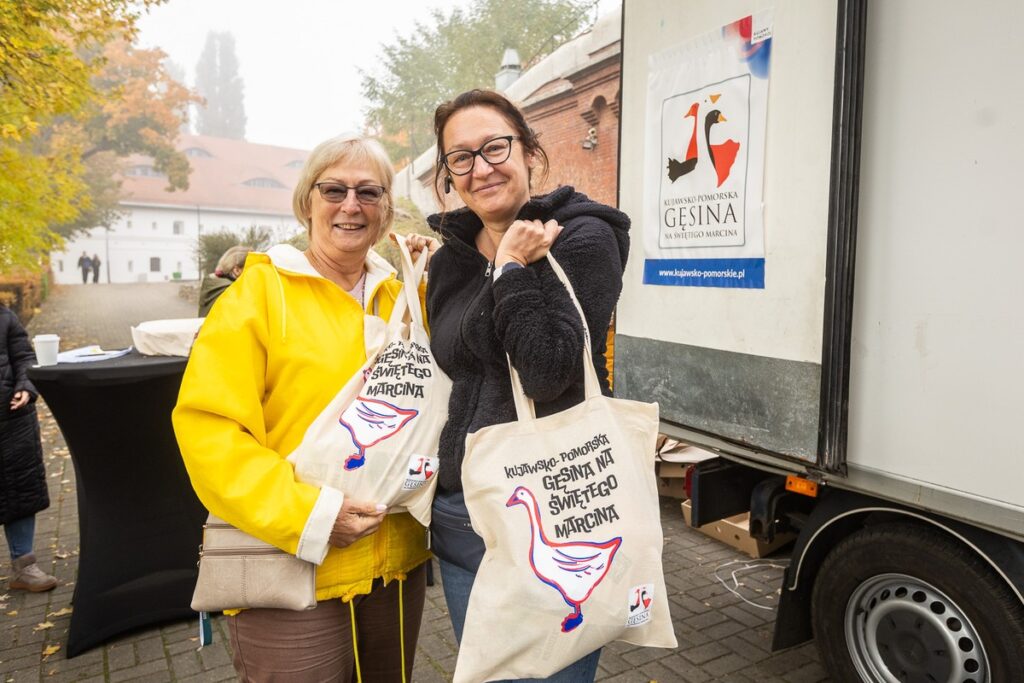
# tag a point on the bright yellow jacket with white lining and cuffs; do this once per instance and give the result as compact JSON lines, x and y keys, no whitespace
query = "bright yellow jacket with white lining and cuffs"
{"x":275,"y":351}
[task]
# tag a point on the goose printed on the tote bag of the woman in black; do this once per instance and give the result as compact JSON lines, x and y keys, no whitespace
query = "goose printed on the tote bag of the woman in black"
{"x":573,"y":569}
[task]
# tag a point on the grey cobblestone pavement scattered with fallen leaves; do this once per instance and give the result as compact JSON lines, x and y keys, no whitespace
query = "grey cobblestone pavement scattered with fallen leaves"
{"x":722,"y":636}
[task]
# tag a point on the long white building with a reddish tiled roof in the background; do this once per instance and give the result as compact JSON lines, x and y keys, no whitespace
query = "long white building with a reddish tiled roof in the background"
{"x":234,"y":186}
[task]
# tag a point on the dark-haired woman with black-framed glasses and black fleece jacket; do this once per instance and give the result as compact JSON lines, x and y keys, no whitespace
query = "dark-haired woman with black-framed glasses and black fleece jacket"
{"x":491,"y":292}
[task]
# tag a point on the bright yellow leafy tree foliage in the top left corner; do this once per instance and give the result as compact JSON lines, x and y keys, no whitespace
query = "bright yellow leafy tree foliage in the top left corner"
{"x":50,"y":53}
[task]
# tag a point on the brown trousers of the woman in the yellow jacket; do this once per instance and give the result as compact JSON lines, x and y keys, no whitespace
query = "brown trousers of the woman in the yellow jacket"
{"x":275,"y":646}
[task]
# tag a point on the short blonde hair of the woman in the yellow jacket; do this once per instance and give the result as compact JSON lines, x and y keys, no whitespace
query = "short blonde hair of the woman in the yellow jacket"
{"x":346,"y":149}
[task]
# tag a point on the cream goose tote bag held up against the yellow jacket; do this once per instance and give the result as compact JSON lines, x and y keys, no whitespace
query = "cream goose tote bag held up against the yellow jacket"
{"x":377,"y":441}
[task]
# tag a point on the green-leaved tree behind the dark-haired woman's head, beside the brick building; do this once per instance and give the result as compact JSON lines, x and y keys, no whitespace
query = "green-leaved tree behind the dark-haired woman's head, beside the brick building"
{"x":456,"y":52}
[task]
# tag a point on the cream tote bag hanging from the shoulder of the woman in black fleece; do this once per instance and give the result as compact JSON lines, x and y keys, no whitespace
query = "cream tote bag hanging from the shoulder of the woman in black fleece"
{"x":568,"y":508}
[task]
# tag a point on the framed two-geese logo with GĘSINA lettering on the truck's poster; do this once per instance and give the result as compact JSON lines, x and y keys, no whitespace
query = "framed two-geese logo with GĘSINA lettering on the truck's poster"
{"x":704,"y":141}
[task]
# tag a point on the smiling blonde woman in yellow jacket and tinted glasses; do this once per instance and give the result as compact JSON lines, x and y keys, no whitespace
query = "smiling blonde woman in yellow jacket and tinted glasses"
{"x":274,"y":352}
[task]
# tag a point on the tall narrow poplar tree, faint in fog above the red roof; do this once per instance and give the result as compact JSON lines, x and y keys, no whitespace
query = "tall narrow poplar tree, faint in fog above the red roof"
{"x":218,"y":80}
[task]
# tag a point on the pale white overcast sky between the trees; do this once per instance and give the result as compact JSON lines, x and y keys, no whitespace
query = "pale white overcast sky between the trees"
{"x":301,"y":60}
